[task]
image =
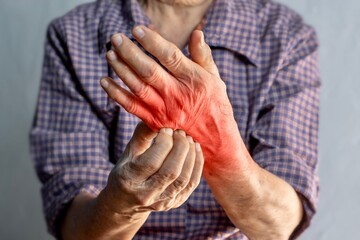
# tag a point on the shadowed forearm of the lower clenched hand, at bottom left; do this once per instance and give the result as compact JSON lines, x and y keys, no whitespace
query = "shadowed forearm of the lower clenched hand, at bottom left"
{"x":89,"y":218}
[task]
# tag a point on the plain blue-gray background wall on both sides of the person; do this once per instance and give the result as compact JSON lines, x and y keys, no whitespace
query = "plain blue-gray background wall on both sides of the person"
{"x":22,"y":30}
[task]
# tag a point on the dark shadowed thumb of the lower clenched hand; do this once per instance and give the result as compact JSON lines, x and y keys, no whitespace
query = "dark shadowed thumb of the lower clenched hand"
{"x":142,"y":139}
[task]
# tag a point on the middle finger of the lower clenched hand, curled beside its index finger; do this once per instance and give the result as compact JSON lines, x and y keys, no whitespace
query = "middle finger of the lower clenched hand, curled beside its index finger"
{"x":173,"y":164}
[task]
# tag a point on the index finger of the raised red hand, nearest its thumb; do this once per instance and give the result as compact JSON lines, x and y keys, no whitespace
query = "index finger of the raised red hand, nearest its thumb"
{"x":166,"y":52}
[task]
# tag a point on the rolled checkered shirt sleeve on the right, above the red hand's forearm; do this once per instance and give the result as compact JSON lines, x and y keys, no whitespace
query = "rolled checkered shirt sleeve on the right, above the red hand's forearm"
{"x":286,"y":132}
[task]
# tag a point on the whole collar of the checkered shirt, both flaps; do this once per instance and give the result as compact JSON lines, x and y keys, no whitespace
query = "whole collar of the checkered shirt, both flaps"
{"x":230,"y":24}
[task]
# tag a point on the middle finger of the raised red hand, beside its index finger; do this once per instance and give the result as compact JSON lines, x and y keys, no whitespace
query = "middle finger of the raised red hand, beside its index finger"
{"x":145,"y":67}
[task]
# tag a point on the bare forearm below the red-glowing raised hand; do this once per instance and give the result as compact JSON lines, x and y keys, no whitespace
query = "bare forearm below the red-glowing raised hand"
{"x":259,"y":203}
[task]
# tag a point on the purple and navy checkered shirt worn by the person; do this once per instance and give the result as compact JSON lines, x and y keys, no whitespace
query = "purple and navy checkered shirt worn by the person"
{"x":265,"y":54}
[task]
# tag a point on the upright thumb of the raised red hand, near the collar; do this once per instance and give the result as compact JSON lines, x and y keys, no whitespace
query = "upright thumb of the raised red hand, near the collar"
{"x":201,"y":52}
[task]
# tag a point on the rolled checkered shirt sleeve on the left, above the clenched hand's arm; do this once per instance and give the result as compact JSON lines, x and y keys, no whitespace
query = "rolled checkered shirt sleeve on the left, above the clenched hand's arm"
{"x":69,"y":142}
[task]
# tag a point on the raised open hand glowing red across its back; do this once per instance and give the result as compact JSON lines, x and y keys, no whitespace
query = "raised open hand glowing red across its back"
{"x":187,"y":95}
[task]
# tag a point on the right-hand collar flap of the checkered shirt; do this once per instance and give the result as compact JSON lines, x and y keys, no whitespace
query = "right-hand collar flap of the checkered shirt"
{"x":232,"y":24}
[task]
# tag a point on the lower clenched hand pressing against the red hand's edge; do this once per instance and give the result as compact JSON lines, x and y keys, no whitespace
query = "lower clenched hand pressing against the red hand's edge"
{"x":156,"y":172}
